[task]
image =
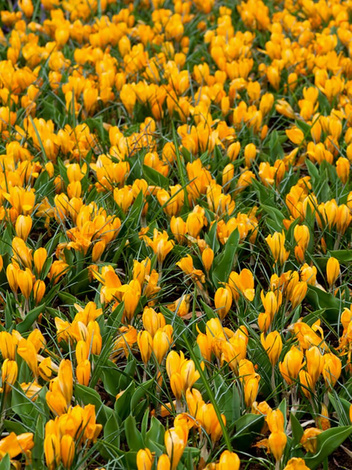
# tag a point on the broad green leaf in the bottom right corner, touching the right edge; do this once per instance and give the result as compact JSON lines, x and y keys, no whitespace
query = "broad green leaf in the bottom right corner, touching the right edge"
{"x":328,"y":441}
